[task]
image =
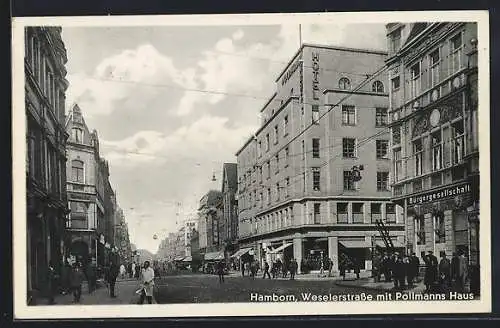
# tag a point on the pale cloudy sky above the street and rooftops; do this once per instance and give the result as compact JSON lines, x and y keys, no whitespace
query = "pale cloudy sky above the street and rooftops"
{"x":171,"y":104}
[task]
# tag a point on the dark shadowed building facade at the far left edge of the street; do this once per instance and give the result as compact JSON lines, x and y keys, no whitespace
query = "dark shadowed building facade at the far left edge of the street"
{"x":45,"y":87}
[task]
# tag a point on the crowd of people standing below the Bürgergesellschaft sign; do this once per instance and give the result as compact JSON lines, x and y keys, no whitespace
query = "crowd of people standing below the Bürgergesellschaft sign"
{"x":439,"y":276}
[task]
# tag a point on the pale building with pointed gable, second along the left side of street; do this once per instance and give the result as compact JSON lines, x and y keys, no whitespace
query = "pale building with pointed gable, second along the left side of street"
{"x":88,"y":228}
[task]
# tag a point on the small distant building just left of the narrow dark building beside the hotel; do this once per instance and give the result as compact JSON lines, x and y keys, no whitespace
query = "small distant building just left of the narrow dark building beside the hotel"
{"x":209,"y":224}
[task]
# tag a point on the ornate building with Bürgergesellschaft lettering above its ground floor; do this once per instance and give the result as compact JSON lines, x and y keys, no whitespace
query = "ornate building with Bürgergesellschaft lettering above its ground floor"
{"x":435,"y":150}
